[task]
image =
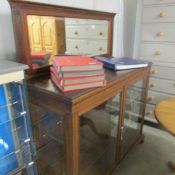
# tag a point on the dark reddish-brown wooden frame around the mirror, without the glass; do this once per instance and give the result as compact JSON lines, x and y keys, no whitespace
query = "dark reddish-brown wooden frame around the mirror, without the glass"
{"x":20,"y":10}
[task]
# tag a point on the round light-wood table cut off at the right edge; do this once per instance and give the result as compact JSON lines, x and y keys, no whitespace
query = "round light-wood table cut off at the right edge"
{"x":165,"y":114}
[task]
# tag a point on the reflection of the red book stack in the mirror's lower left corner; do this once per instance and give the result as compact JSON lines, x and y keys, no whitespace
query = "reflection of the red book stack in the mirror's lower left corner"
{"x":40,"y":58}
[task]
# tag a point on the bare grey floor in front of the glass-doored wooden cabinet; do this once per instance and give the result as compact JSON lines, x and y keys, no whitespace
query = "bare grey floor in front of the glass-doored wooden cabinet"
{"x":150,"y":158}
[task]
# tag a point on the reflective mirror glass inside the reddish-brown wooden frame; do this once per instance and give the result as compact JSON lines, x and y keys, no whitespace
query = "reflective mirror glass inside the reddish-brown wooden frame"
{"x":51,"y":36}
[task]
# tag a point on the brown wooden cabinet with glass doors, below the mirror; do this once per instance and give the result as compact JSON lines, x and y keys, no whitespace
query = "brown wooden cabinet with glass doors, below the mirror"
{"x":93,"y":128}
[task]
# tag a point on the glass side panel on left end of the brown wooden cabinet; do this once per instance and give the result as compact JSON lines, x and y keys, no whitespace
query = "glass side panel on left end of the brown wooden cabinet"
{"x":48,"y":132}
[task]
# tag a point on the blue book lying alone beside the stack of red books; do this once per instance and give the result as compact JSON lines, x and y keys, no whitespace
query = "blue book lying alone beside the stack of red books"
{"x":121,"y":63}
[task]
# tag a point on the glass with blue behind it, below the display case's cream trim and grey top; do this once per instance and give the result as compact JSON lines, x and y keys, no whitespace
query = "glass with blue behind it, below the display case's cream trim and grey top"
{"x":15,"y":141}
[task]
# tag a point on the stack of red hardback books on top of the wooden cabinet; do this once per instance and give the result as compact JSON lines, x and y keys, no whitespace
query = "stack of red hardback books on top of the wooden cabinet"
{"x":77,"y":72}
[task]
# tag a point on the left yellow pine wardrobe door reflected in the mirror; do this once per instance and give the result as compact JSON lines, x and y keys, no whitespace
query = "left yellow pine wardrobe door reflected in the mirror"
{"x":34,"y":29}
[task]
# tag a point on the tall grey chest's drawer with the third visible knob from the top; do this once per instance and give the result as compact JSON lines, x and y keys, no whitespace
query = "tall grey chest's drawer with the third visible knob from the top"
{"x":158,"y":52}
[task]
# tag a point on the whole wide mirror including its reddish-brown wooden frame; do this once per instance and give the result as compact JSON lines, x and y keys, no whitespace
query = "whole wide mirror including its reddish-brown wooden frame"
{"x":43,"y":30}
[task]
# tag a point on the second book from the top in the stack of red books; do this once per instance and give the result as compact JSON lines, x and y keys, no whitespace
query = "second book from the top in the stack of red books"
{"x":80,"y":73}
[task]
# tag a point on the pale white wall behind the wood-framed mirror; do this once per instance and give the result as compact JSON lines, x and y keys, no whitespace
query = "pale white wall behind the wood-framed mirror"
{"x":7,"y":43}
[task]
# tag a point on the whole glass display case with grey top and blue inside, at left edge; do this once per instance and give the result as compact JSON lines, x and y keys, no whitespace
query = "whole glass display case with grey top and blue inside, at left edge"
{"x":16,"y":144}
